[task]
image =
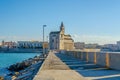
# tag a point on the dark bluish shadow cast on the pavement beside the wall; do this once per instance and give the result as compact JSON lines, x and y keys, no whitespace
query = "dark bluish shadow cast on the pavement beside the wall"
{"x":90,"y":70}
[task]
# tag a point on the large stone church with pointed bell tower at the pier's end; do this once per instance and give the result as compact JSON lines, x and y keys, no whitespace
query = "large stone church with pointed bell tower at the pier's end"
{"x":58,"y":40}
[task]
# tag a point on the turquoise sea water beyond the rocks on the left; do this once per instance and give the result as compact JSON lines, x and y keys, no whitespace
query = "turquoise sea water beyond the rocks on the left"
{"x":7,"y":59}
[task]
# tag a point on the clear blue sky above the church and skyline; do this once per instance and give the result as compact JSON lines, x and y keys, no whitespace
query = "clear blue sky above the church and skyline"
{"x":89,"y":21}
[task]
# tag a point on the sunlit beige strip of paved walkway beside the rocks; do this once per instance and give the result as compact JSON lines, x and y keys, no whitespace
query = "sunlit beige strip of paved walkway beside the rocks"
{"x":54,"y":69}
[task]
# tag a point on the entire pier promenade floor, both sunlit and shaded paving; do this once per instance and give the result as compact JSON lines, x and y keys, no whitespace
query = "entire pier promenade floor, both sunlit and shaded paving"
{"x":63,"y":67}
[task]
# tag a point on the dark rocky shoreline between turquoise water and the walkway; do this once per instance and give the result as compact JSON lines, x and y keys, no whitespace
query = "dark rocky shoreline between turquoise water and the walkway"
{"x":24,"y":70}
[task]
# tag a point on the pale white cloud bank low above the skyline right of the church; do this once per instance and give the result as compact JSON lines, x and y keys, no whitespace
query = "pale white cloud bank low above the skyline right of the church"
{"x":95,"y":39}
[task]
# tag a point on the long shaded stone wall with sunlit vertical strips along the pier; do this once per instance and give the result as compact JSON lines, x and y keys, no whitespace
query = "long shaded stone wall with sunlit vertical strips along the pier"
{"x":109,"y":60}
